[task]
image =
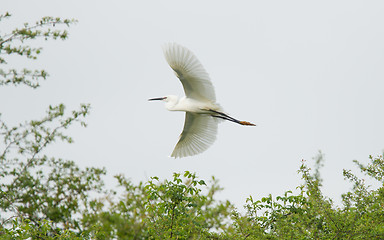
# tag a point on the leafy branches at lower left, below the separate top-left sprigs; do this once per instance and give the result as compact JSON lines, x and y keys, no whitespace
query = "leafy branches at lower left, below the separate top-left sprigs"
{"x":37,"y":187}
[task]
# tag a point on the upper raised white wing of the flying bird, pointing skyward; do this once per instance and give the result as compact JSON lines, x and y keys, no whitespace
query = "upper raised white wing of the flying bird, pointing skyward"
{"x":190,"y":71}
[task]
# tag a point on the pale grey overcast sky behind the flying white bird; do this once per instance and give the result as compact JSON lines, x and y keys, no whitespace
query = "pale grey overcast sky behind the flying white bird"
{"x":308,"y":73}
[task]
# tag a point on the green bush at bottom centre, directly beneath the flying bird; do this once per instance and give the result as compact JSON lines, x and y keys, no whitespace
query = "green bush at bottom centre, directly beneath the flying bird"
{"x":160,"y":210}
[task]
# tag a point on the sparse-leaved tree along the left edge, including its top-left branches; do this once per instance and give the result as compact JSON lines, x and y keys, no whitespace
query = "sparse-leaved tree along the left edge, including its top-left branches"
{"x":34,"y":187}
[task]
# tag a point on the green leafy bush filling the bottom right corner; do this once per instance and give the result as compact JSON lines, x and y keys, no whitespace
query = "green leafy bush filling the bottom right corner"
{"x":310,"y":215}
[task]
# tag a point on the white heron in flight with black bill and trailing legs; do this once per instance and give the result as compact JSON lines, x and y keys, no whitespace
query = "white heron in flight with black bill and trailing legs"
{"x":202,"y":111}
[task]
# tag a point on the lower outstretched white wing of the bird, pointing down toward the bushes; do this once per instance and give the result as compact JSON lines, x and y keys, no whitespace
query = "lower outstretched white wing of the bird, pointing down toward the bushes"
{"x":198,"y":134}
